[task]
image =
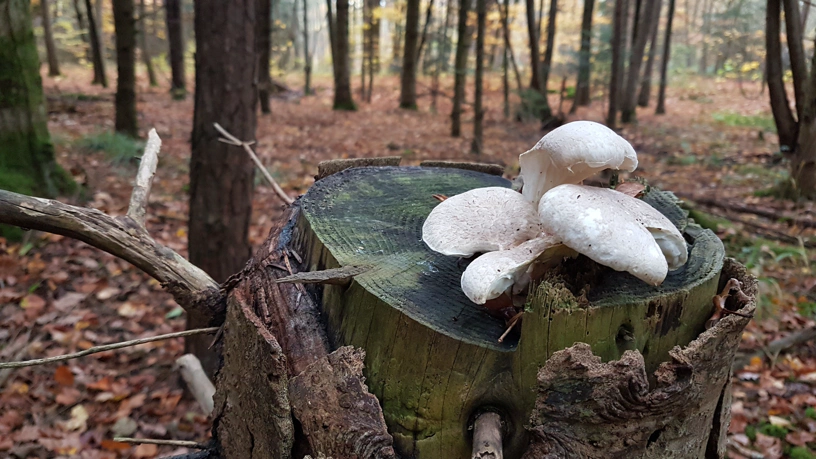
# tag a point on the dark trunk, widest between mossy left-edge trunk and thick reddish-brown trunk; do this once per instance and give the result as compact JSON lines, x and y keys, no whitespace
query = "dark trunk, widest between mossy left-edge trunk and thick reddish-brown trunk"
{"x":125,"y":24}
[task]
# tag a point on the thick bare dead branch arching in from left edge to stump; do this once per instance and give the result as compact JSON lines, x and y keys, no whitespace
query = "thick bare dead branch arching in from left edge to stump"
{"x":192,"y":288}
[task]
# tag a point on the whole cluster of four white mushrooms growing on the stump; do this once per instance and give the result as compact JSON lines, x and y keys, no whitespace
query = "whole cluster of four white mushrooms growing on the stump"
{"x":555,"y":216}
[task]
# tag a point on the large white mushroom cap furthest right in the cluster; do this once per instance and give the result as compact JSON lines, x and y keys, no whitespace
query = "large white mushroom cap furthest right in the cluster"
{"x":613,"y":229}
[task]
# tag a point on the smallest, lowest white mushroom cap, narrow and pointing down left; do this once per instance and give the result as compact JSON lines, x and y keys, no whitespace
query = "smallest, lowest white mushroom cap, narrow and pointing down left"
{"x":494,"y":273}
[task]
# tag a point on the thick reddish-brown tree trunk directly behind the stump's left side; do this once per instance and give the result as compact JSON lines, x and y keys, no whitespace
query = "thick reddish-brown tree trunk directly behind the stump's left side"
{"x":221,"y":175}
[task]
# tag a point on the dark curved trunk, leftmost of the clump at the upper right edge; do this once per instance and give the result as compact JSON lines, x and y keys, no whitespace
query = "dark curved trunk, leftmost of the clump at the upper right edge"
{"x":786,"y":124}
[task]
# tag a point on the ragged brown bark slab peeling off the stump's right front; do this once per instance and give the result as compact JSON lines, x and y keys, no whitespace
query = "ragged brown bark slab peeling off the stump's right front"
{"x":586,"y":408}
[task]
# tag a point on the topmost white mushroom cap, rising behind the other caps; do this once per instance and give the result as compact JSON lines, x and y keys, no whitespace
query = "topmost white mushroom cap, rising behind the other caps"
{"x":572,"y":153}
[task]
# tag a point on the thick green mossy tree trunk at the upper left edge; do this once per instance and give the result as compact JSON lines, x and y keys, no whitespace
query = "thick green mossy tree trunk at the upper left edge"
{"x":27,"y":162}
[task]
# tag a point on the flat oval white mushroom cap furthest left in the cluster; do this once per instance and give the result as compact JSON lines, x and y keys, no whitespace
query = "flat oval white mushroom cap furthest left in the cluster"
{"x":480,"y":220}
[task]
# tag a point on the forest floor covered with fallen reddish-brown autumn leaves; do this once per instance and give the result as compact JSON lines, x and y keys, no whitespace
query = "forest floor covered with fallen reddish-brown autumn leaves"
{"x":716,"y":149}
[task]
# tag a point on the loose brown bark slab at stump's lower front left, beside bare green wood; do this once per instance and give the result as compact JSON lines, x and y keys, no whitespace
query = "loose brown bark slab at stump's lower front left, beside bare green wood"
{"x":338,"y":414}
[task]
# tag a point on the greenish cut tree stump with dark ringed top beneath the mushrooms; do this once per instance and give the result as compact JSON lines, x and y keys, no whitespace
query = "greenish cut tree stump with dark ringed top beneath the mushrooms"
{"x":433,"y":358}
